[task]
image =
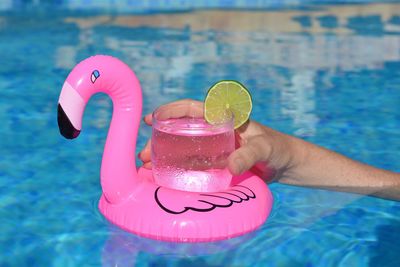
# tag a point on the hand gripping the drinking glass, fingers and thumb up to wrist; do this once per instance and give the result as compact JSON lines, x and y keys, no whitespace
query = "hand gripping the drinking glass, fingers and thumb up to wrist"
{"x":265,"y":151}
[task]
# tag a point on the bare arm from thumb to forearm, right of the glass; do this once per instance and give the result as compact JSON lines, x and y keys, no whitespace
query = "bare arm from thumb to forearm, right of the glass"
{"x":300,"y":163}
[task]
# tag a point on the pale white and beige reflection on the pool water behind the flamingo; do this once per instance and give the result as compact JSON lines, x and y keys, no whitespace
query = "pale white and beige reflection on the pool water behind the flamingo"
{"x":238,"y":44}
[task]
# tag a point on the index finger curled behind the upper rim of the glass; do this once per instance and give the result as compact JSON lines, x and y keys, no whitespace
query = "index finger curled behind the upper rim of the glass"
{"x":177,"y":109}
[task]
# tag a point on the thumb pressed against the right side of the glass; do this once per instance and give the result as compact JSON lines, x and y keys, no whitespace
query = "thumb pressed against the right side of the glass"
{"x":245,"y":157}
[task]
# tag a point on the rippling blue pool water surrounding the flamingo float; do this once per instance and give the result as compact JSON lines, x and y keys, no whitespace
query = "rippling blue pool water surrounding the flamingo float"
{"x":327,"y":73}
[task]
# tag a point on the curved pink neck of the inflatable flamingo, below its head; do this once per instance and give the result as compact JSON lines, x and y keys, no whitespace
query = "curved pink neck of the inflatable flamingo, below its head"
{"x":118,"y":169}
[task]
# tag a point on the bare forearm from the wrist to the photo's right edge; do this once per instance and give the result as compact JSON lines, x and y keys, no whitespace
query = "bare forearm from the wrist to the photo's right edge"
{"x":318,"y":167}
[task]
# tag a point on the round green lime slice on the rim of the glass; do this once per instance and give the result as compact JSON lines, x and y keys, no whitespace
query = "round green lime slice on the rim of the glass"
{"x":224,"y":97}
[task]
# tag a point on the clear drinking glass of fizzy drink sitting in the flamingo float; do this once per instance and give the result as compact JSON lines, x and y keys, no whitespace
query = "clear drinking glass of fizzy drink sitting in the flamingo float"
{"x":188,"y":153}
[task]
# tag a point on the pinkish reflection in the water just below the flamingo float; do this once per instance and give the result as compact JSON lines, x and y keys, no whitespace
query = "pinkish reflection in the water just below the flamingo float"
{"x":125,"y":249}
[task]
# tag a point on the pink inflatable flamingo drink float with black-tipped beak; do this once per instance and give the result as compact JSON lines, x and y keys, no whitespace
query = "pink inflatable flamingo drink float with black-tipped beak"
{"x":131,"y":199}
